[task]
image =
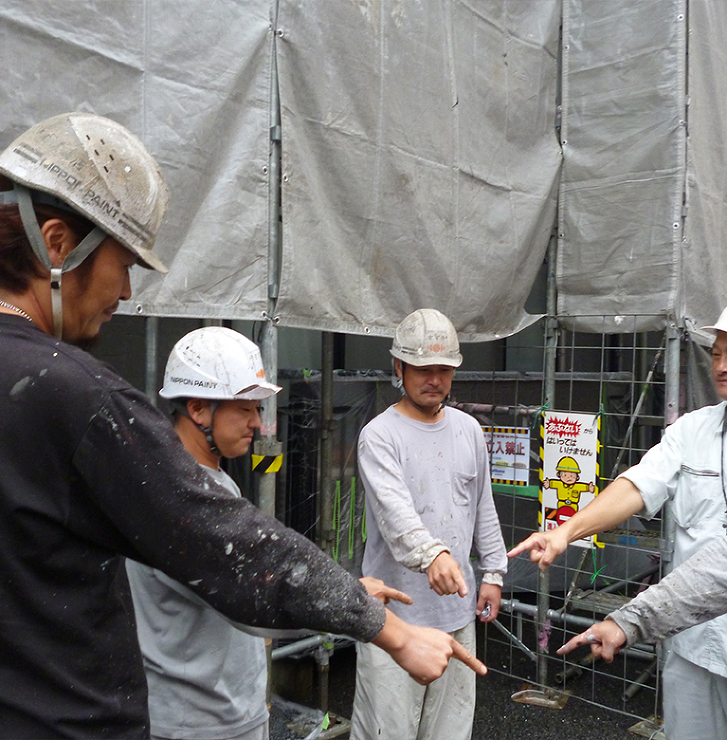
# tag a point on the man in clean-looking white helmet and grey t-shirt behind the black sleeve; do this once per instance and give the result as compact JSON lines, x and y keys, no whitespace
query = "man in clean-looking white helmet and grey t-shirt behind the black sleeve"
{"x":207,"y":679}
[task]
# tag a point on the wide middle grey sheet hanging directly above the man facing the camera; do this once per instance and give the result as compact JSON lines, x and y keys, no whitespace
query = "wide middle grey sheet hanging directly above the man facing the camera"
{"x":420,"y":161}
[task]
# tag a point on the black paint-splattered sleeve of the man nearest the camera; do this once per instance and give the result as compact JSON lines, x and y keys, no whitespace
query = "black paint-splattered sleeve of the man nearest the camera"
{"x":146,"y":497}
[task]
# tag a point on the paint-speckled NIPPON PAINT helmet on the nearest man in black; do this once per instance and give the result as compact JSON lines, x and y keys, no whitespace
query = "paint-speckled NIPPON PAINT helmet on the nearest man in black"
{"x":98,"y":168}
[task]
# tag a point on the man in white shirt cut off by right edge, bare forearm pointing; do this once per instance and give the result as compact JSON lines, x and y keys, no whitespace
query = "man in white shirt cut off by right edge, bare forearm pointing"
{"x":687,"y":469}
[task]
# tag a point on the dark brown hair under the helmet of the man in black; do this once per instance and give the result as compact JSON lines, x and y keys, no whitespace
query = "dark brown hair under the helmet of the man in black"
{"x":18,"y":263}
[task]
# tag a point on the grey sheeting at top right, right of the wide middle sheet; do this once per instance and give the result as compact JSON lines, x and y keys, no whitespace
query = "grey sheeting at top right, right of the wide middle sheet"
{"x":643,"y":211}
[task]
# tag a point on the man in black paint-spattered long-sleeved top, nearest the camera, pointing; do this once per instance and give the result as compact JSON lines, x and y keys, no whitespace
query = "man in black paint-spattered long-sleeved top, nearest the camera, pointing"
{"x":92,"y":471}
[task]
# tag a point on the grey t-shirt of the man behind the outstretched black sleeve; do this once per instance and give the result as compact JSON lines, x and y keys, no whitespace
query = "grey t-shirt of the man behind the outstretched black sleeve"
{"x":207,"y":680}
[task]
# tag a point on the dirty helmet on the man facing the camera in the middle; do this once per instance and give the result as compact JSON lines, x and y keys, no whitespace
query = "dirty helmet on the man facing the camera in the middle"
{"x":427,"y":337}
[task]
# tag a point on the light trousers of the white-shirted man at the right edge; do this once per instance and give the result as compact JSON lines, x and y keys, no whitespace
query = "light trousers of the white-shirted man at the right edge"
{"x":695,"y":701}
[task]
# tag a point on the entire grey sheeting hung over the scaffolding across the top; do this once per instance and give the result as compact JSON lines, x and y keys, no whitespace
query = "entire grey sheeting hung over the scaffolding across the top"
{"x":420,"y":161}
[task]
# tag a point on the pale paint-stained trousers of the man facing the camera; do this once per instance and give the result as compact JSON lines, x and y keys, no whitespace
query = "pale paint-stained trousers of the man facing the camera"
{"x":390,"y":705}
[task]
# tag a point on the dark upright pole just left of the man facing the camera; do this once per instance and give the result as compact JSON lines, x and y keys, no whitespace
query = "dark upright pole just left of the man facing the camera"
{"x":325,"y":508}
